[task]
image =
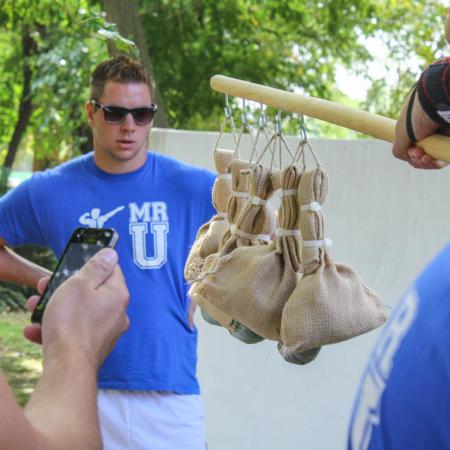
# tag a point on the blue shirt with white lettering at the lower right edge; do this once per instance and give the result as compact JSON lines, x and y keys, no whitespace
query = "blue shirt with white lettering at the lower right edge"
{"x":403,"y":401}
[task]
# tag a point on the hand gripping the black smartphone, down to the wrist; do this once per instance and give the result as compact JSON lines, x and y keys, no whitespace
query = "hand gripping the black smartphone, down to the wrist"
{"x":87,"y":313}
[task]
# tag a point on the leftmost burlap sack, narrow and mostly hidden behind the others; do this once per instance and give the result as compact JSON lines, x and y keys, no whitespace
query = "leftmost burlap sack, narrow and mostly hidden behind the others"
{"x":210,"y":234}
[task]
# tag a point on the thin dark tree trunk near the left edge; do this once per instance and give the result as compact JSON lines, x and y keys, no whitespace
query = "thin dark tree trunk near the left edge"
{"x":25,"y":108}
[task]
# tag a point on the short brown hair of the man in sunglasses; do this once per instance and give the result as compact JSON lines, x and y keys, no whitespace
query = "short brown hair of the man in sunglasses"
{"x":120,"y":68}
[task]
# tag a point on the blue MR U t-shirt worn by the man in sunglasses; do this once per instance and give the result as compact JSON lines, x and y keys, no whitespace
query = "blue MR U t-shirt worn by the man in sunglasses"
{"x":157,"y":211}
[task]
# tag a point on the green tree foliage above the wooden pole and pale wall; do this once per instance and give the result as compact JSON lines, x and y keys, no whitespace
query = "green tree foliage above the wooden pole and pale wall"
{"x":290,"y":44}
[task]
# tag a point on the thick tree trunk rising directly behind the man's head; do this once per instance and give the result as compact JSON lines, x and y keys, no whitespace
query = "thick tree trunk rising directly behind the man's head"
{"x":125,"y":14}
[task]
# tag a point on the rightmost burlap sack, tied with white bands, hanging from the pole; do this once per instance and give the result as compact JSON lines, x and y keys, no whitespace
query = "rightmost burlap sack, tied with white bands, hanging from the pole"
{"x":330,"y":304}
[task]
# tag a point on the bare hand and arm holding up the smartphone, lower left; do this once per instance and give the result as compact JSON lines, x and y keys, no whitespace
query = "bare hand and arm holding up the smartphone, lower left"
{"x":81,"y":324}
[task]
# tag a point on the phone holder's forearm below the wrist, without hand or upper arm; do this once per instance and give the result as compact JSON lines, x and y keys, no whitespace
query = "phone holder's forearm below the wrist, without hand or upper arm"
{"x":63,"y":408}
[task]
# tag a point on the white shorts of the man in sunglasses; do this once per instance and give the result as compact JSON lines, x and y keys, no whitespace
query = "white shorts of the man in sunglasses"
{"x":137,"y":420}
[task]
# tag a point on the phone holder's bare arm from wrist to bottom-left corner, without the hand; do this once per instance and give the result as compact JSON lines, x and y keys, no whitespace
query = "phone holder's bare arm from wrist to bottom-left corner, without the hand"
{"x":51,"y":420}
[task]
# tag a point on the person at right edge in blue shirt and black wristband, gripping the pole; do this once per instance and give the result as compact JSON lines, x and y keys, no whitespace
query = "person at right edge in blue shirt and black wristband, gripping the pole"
{"x":403,"y":401}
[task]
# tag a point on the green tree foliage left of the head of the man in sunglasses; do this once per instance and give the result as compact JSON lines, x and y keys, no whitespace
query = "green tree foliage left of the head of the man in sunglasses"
{"x":69,"y":37}
